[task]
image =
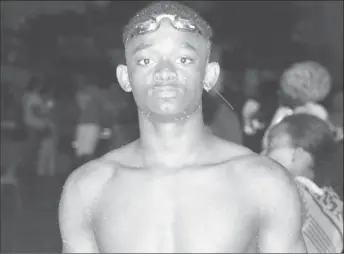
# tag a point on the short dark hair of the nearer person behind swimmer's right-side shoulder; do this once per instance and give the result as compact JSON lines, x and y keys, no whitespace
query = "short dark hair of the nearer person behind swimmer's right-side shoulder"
{"x":310,"y":133}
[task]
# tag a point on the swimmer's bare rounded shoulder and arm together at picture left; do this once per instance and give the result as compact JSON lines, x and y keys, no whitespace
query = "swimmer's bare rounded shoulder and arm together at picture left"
{"x":77,"y":204}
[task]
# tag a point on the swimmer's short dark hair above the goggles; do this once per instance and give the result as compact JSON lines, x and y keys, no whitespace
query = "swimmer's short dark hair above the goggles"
{"x":167,"y":7}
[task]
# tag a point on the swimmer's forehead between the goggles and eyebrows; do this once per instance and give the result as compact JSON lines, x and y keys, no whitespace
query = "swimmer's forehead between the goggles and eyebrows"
{"x":168,"y":36}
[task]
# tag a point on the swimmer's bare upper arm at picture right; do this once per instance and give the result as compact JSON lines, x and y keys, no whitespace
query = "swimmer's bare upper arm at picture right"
{"x":281,"y":214}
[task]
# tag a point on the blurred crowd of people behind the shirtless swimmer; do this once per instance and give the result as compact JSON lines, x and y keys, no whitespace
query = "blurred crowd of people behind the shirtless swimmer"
{"x":292,"y":117}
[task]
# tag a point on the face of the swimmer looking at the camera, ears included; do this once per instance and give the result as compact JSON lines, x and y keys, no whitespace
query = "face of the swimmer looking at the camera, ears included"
{"x":167,"y":70}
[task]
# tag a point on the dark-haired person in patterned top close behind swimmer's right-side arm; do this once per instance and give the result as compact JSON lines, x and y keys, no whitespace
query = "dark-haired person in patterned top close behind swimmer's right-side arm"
{"x":302,"y":143}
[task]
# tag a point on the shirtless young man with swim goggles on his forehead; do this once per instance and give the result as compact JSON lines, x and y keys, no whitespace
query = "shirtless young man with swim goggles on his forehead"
{"x":178,"y":188}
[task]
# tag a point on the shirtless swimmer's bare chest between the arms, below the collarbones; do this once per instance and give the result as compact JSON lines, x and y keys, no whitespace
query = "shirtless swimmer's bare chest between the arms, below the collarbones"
{"x":204,"y":208}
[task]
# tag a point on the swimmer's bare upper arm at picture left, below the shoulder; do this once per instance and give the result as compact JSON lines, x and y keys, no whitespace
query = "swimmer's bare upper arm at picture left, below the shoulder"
{"x":75,"y":219}
